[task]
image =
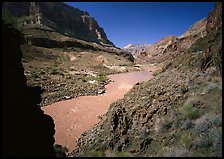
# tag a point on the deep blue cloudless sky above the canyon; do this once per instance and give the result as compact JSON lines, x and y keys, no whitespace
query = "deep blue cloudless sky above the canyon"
{"x":144,"y":22}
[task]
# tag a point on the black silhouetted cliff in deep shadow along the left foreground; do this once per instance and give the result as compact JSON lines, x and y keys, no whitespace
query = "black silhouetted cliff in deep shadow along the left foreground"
{"x":27,"y":131}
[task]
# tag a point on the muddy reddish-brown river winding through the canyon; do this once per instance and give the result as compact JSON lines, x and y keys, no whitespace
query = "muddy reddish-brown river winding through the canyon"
{"x":75,"y":116}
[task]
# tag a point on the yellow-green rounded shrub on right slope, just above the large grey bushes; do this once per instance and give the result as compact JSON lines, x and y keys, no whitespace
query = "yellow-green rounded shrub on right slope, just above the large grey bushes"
{"x":188,"y":111}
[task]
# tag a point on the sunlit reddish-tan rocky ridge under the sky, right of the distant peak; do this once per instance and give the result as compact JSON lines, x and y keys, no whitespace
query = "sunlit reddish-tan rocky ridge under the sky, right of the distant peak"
{"x":167,"y":48}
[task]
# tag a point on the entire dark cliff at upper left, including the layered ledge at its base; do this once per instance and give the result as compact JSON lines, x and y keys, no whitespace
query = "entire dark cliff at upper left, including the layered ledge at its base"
{"x":57,"y":25}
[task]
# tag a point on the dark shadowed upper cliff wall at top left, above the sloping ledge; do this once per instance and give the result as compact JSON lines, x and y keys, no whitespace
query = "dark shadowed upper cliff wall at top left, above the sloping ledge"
{"x":61,"y":18}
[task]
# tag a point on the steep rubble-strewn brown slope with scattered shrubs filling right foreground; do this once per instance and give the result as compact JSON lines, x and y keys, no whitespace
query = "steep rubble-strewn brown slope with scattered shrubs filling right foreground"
{"x":177,"y":113}
